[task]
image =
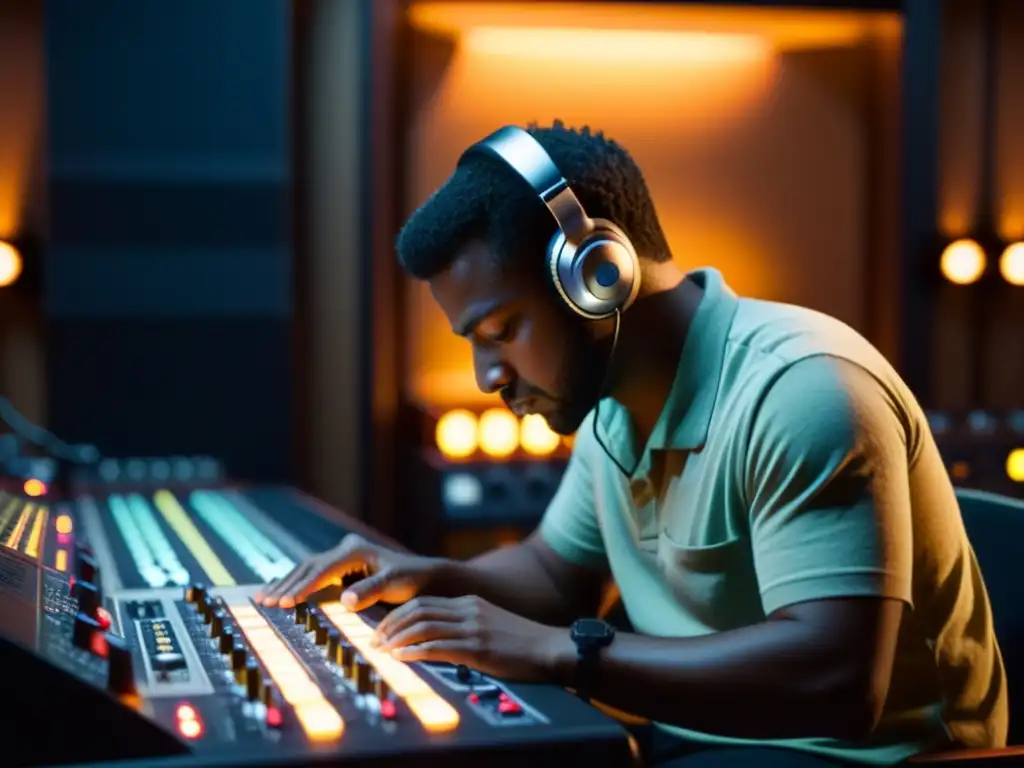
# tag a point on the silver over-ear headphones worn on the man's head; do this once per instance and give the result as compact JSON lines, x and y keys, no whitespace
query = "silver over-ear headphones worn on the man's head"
{"x":591,"y":263}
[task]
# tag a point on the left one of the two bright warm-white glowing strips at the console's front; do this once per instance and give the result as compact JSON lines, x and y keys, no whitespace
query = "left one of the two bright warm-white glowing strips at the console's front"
{"x":317,"y":716}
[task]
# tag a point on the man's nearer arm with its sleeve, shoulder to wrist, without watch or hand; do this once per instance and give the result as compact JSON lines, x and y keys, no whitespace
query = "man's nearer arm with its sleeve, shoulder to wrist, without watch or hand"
{"x":827,"y":483}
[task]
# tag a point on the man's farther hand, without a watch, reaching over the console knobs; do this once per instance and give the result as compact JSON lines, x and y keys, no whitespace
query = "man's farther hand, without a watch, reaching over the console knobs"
{"x":393,"y":577}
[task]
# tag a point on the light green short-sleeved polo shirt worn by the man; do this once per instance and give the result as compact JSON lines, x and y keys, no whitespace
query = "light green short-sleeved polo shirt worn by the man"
{"x":791,"y":463}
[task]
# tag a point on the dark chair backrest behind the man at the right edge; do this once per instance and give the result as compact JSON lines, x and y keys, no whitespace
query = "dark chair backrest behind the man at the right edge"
{"x":996,"y":528}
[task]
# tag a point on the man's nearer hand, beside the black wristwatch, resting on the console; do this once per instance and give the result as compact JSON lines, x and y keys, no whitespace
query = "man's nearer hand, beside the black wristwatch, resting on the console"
{"x":474,"y":632}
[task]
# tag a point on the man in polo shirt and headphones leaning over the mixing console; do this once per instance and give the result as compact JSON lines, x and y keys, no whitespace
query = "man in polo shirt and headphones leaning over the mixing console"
{"x":758,"y":481}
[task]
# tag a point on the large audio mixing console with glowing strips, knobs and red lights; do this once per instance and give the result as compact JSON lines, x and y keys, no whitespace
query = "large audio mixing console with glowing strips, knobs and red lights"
{"x":129,"y":633}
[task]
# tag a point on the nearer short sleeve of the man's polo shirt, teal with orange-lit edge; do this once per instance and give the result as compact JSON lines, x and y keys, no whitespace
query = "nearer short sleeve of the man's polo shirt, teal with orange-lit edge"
{"x":828,"y":485}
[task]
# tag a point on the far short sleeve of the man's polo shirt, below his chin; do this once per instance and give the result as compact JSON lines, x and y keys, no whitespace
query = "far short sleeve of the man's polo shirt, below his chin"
{"x":570,"y":526}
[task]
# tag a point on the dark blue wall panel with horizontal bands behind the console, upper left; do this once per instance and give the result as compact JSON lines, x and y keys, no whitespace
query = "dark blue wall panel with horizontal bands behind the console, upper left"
{"x":168,"y":304}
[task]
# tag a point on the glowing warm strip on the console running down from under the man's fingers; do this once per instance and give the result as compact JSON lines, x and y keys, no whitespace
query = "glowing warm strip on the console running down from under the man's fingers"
{"x":435,"y":713}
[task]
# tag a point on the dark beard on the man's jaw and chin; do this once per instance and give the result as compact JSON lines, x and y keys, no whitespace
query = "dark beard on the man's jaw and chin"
{"x":580,"y":383}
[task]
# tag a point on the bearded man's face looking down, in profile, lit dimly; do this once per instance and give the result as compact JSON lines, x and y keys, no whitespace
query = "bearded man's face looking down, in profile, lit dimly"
{"x":527,"y":345}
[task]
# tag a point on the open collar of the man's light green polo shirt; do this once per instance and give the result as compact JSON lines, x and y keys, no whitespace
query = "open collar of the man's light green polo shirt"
{"x":686,"y":417}
